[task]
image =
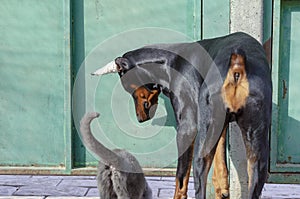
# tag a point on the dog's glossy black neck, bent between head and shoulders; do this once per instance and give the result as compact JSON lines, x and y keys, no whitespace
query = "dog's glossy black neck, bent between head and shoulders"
{"x":166,"y":67}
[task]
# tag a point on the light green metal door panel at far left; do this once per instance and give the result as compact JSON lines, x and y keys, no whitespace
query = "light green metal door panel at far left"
{"x":34,"y":86}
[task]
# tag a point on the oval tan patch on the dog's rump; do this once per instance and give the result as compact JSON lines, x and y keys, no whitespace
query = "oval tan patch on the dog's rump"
{"x":235,"y":89}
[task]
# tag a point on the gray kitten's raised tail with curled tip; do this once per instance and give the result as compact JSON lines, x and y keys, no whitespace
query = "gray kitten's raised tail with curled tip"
{"x":107,"y":156}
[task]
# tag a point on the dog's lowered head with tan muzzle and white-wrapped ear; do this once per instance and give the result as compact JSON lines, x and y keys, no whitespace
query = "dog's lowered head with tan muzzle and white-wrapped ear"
{"x":144,"y":92}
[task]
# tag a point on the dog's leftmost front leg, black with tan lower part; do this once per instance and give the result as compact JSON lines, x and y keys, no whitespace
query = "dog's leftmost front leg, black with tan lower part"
{"x":185,"y":144}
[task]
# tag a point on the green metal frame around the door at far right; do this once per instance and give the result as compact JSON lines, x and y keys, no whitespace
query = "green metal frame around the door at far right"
{"x":279,"y":173}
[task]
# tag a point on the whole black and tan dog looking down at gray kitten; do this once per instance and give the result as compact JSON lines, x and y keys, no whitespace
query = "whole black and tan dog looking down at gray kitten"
{"x":210,"y":83}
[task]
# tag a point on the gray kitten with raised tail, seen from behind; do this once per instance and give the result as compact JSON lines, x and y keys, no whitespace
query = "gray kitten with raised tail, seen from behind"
{"x":119,"y":175}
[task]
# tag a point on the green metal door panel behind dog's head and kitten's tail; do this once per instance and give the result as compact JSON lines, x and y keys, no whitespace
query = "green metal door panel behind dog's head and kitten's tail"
{"x":104,"y":30}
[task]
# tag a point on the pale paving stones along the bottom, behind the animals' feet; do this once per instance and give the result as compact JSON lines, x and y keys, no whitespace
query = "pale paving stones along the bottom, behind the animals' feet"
{"x":74,"y":187}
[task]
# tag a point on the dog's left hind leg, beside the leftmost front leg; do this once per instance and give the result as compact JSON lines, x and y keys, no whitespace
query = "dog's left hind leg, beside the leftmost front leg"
{"x":213,"y":118}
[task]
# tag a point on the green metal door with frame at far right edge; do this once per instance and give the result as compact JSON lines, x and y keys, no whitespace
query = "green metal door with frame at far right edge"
{"x":285,"y":150}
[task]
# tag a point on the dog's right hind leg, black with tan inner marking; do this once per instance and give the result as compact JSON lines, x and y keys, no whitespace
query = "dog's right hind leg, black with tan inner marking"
{"x":255,"y":126}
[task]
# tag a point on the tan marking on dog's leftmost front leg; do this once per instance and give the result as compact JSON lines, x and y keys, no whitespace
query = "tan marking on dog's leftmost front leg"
{"x":182,"y":193}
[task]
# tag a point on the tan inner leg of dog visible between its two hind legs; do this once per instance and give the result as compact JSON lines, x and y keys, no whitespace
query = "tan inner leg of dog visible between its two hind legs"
{"x":220,"y":174}
